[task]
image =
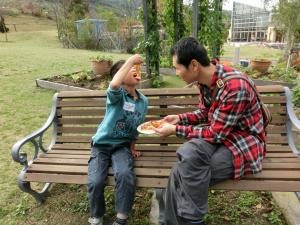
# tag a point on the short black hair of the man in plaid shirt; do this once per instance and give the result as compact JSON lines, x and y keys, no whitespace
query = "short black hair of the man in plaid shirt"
{"x":187,"y":49}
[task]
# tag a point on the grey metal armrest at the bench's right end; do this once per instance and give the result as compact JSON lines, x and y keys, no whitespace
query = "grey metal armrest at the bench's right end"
{"x":292,"y":121}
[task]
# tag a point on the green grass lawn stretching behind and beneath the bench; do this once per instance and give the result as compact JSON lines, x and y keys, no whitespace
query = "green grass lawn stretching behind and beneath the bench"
{"x":34,"y":53}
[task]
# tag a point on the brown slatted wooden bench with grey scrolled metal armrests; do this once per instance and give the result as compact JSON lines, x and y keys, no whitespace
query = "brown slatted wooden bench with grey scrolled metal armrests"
{"x":76,"y":114}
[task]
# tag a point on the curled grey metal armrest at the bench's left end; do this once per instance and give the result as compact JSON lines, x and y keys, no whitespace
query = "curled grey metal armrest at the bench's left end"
{"x":21,"y":157}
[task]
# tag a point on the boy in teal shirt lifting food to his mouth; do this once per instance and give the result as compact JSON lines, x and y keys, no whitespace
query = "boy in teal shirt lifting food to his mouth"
{"x":115,"y":141}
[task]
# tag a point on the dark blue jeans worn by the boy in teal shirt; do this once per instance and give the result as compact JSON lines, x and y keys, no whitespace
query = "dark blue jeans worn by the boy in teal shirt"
{"x":122,"y":164}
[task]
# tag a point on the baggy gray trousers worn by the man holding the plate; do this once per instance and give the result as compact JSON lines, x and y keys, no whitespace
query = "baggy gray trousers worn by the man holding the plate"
{"x":200,"y":165}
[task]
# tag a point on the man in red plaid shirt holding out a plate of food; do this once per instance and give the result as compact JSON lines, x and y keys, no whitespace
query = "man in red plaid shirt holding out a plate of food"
{"x":226,"y":137}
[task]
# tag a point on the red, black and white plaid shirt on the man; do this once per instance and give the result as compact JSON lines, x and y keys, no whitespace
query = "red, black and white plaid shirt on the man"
{"x":233,"y":119}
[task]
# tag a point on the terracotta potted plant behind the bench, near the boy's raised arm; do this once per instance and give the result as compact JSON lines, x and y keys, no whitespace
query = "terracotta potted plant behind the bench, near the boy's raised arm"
{"x":101,"y":65}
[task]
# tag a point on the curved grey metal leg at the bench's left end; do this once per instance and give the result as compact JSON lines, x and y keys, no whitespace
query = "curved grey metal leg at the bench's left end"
{"x":40,"y":197}
